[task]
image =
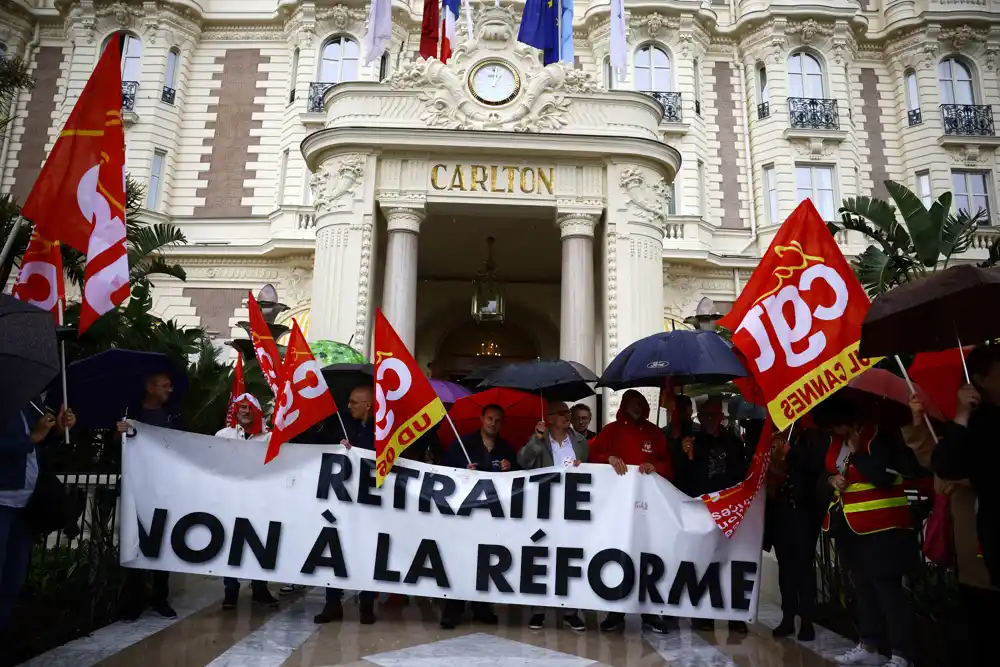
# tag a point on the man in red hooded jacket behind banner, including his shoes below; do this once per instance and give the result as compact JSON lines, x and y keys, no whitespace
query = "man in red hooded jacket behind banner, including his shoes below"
{"x":633,"y":440}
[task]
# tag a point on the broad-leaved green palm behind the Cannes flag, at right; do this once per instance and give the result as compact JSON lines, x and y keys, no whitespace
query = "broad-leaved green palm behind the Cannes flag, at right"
{"x":925,"y":240}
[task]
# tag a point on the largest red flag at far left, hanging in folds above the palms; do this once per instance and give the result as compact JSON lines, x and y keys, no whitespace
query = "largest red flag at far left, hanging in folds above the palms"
{"x":79,"y":197}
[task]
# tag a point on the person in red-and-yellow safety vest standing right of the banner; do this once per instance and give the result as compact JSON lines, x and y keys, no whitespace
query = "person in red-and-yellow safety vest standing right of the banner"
{"x":869,"y":519}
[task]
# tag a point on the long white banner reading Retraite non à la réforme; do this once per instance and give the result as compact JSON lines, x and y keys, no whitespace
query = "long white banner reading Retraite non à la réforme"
{"x":579,"y":537}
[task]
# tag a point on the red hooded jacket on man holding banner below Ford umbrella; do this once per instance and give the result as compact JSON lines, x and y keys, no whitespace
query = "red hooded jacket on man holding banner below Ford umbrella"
{"x":634,"y":442}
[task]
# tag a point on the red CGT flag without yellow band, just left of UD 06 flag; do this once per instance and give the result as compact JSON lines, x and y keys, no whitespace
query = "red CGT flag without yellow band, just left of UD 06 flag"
{"x":304,"y":399}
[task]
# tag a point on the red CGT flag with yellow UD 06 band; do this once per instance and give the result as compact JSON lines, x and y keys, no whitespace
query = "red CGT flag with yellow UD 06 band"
{"x":406,"y":405}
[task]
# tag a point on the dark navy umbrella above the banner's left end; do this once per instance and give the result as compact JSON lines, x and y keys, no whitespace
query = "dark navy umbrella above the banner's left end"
{"x":103,"y":386}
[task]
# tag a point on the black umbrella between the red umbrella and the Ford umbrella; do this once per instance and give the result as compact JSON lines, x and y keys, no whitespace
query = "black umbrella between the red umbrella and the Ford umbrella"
{"x":553,"y":379}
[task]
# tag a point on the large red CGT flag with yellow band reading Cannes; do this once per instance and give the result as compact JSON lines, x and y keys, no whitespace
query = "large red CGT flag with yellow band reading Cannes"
{"x":798,"y":320}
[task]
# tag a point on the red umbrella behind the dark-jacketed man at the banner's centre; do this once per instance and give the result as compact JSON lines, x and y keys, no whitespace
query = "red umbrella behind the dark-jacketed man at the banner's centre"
{"x":521,"y":413}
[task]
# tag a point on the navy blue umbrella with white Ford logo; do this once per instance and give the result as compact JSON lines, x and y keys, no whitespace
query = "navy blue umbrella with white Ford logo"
{"x":684,"y":356}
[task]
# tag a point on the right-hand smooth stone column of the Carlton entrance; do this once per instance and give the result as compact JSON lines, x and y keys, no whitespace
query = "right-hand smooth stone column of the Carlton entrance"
{"x":577,"y":317}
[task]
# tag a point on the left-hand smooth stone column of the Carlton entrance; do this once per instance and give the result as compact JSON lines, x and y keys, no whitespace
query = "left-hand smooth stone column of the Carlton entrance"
{"x":399,"y":291}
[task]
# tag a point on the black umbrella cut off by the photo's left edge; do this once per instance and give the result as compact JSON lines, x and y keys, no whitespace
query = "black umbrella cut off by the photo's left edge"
{"x":29,"y":355}
